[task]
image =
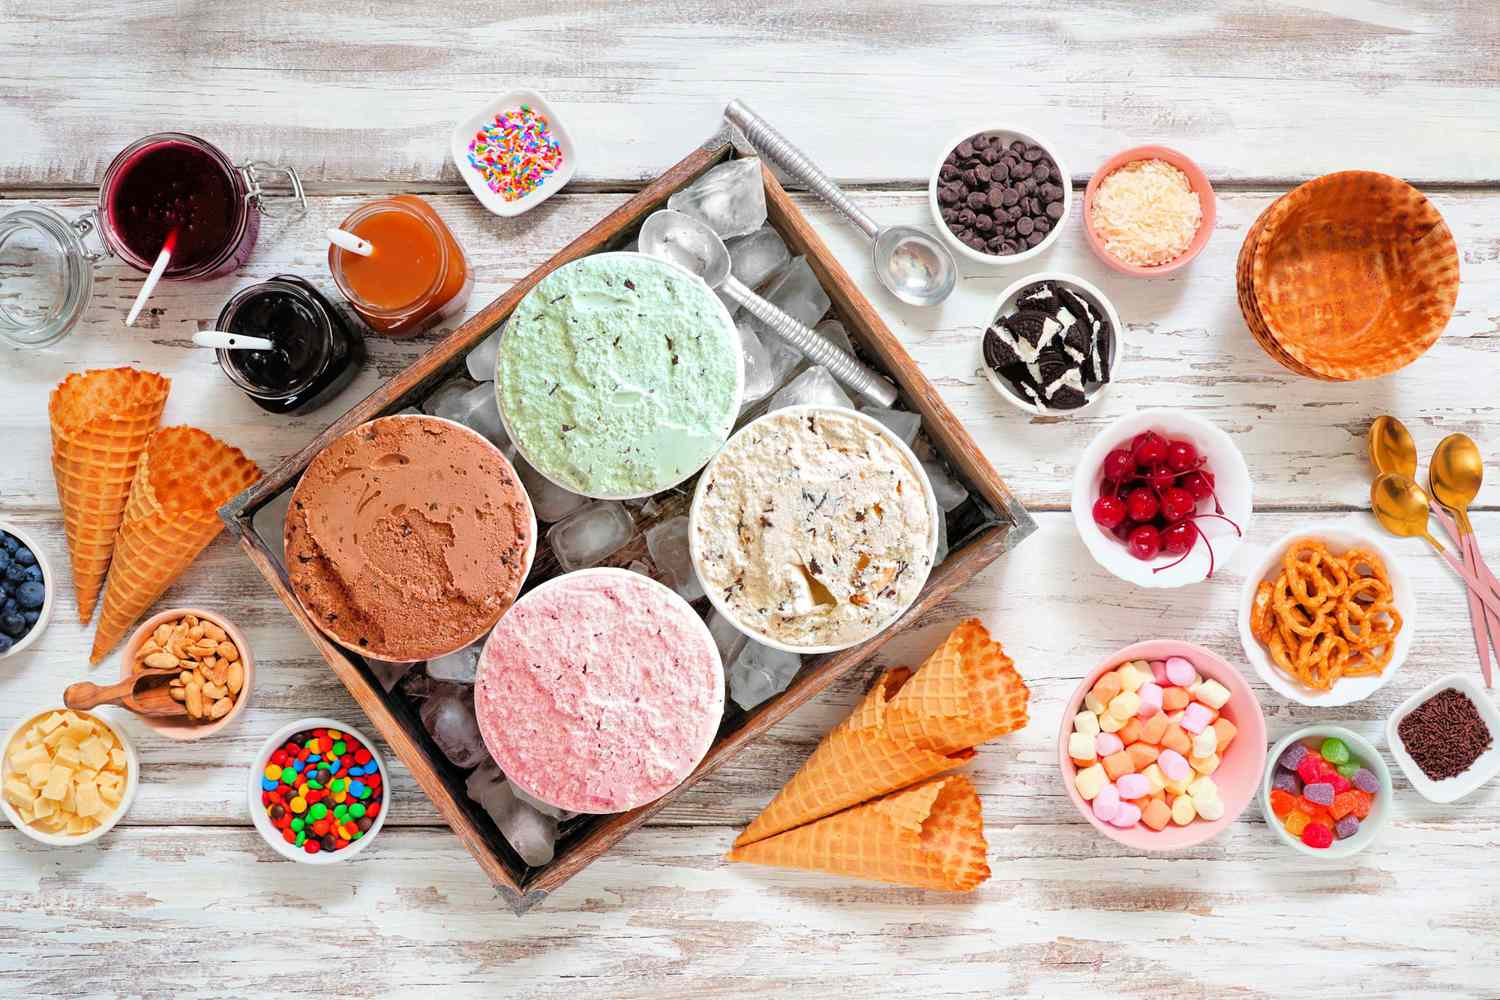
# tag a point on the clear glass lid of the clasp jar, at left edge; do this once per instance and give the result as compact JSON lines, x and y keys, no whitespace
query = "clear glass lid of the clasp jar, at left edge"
{"x":46,"y":275}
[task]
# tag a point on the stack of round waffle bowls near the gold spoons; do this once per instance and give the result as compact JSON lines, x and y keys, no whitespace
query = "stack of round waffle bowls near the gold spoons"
{"x":1349,"y":277}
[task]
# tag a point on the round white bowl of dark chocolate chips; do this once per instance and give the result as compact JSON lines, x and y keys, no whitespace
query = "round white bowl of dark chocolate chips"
{"x":1001,"y":196}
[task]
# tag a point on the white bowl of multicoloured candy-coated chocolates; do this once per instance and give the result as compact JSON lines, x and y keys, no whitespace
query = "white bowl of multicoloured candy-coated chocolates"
{"x":319,"y":792}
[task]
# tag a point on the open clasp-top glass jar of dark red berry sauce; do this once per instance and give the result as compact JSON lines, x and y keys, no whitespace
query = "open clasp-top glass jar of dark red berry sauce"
{"x":176,"y":190}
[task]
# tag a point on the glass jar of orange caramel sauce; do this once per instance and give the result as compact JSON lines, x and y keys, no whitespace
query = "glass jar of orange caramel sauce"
{"x":418,"y":275}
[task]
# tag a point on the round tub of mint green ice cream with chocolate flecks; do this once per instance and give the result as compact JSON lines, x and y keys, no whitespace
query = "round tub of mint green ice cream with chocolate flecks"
{"x":620,"y":376}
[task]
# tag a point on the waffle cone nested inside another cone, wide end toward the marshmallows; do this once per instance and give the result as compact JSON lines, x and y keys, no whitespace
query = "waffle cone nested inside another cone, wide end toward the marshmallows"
{"x":965,"y":693}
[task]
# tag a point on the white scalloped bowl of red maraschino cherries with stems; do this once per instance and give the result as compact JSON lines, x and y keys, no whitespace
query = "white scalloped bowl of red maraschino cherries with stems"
{"x":1162,"y":499}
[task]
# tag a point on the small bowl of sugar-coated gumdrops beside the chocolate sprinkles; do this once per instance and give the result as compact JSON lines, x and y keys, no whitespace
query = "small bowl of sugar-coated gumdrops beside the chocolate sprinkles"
{"x":1327,"y":792}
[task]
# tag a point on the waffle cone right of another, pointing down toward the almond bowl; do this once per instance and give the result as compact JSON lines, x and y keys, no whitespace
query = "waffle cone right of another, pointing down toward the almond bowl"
{"x":173,"y":513}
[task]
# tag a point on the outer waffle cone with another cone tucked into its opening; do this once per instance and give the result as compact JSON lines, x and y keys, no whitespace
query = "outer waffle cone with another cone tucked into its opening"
{"x":859,"y":761}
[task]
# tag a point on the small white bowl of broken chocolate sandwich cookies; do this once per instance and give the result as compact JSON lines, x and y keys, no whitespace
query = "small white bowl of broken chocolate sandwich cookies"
{"x":1052,"y":344}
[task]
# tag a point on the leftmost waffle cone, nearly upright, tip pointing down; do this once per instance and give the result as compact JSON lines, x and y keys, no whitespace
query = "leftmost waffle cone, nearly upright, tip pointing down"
{"x":101,"y":422}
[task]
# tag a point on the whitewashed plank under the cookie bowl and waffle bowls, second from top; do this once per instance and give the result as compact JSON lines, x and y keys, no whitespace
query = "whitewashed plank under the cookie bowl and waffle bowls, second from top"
{"x":1187,"y":346}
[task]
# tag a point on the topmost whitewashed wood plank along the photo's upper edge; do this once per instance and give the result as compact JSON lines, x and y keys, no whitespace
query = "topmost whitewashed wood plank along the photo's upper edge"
{"x":370,"y":92}
